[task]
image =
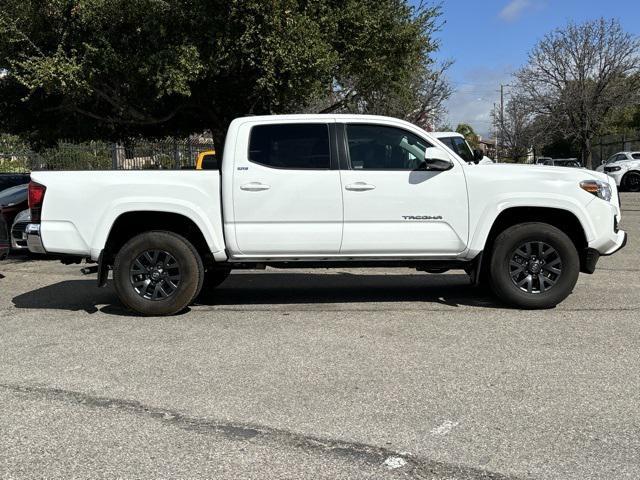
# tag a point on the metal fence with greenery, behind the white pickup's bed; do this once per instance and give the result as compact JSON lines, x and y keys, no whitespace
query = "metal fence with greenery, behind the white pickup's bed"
{"x":128,"y":155}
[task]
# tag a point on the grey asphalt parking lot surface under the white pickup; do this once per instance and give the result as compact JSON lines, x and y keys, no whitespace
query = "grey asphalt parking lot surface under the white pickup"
{"x":322,"y":374}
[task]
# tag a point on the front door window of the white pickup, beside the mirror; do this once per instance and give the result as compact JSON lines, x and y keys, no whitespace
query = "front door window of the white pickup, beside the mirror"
{"x":377,"y":147}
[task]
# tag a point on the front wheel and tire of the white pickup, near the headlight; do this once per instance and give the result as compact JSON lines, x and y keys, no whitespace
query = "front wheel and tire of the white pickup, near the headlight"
{"x":543,"y":279}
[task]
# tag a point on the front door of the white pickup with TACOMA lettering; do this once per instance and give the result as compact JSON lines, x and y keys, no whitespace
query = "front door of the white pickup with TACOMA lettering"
{"x":391,"y":206}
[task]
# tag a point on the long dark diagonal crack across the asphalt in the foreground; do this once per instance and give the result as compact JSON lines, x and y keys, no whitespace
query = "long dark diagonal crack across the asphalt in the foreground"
{"x":353,"y":451}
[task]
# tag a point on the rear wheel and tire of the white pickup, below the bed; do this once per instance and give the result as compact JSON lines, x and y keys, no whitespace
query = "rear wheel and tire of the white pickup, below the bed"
{"x":137,"y":272}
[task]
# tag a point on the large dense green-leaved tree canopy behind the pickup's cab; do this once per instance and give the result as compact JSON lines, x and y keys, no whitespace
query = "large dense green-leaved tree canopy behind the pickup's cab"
{"x":116,"y":68}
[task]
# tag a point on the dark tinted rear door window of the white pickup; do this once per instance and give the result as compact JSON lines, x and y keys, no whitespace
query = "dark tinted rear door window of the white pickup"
{"x":292,"y":146}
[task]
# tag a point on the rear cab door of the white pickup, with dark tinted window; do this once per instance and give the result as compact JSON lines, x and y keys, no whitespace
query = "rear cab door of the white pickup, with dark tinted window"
{"x":286,"y":190}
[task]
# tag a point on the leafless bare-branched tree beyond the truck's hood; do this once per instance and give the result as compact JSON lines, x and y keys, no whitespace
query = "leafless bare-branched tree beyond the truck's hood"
{"x":576,"y":75}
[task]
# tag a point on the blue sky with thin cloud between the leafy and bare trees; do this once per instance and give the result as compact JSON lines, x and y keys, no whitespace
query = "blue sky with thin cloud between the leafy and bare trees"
{"x":490,"y":39}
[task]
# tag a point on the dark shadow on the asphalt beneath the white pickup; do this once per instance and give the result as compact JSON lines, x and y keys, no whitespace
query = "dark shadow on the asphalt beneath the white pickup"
{"x":277,"y":288}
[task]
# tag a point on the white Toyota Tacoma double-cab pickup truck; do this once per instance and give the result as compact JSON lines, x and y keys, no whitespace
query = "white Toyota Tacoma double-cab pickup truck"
{"x":329,"y":191}
